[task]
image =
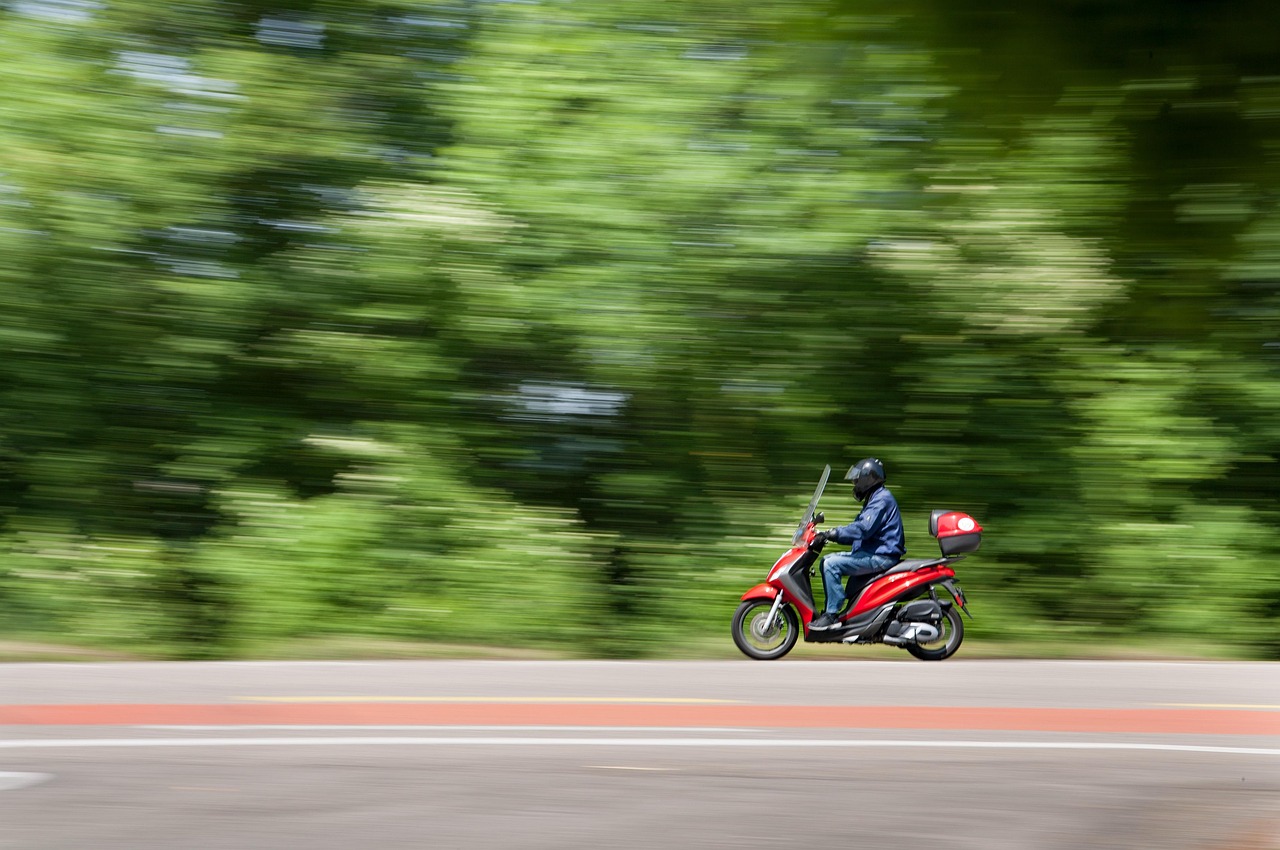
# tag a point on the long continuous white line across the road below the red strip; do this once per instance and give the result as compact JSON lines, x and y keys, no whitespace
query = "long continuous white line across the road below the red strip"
{"x":619,"y":742}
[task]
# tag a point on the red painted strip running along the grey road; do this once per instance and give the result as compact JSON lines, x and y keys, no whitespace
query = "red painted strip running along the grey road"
{"x":1177,"y":721}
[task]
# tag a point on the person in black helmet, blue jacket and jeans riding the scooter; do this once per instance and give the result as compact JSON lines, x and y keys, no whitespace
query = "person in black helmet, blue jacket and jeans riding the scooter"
{"x":876,"y":538}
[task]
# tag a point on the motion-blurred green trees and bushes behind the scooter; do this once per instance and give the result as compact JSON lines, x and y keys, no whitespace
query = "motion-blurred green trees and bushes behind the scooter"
{"x":532,"y":322}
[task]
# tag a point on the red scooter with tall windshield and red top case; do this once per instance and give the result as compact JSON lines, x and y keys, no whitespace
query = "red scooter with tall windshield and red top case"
{"x":899,"y":606}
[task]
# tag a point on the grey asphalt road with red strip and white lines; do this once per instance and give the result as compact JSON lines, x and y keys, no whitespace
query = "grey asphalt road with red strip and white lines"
{"x":633,"y":755}
